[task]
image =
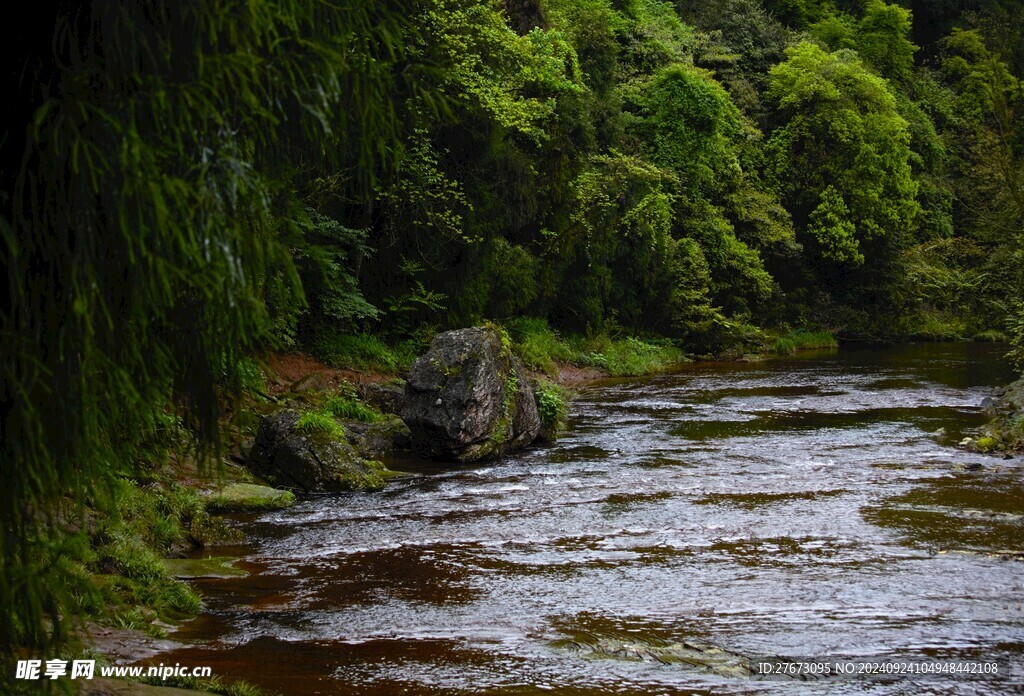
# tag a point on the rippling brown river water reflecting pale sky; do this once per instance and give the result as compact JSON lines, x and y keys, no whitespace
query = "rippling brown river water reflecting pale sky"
{"x":808,"y":507}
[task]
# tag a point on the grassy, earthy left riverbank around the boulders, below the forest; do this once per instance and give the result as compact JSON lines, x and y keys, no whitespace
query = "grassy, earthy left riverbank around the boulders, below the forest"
{"x":174,"y":510}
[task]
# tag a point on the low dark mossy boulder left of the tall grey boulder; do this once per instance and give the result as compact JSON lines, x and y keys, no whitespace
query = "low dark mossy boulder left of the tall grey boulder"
{"x":286,"y":457}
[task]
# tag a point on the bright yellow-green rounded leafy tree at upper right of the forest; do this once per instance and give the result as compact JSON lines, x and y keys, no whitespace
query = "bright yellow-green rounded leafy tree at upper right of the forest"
{"x":842,"y":158}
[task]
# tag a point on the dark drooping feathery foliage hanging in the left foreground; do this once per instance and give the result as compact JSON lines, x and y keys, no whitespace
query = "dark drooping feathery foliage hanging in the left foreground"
{"x":140,"y":228}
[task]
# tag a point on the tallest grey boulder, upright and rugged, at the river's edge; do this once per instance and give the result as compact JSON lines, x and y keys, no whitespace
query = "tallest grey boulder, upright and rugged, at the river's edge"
{"x":468,"y":399}
